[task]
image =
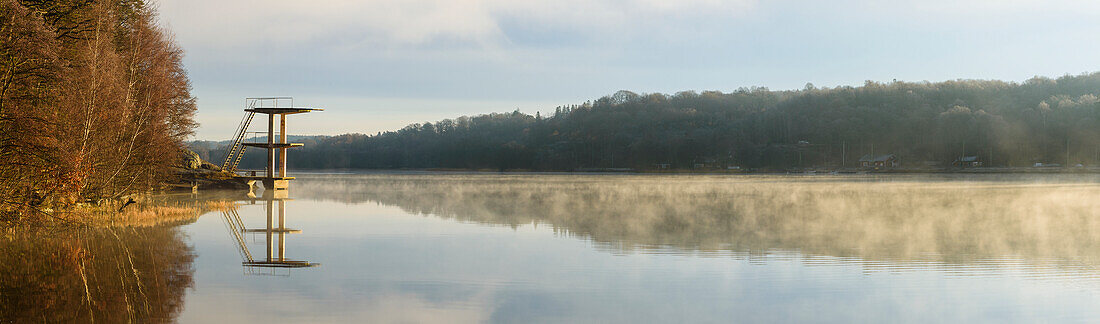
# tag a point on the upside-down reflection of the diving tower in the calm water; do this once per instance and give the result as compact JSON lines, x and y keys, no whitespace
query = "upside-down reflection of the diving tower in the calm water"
{"x":276,"y":236}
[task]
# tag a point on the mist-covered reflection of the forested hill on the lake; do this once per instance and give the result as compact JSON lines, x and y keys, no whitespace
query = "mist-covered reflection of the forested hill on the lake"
{"x":970,"y":224}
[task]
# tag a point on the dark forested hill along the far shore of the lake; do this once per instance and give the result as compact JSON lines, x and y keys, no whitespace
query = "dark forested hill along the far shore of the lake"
{"x":923,"y":124}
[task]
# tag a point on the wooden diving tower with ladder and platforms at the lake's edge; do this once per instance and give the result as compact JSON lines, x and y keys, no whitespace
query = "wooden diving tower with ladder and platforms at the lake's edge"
{"x":274,"y":177}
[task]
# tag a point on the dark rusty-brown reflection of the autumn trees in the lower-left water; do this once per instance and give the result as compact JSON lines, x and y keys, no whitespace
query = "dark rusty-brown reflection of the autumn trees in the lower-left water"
{"x":95,"y":275}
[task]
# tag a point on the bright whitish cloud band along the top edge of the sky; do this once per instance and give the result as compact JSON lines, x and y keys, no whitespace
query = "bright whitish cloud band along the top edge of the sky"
{"x":413,"y":23}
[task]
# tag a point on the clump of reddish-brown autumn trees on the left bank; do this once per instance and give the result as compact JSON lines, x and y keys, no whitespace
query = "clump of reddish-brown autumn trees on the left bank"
{"x":95,"y":103}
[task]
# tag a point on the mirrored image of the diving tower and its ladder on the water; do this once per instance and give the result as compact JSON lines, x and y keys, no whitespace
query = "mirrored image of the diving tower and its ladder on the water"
{"x":277,"y":251}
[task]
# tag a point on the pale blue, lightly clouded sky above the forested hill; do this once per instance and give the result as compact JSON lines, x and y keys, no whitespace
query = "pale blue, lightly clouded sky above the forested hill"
{"x":380,"y":65}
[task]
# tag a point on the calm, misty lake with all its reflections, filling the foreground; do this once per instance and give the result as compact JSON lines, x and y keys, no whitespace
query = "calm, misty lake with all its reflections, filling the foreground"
{"x":586,"y":249}
